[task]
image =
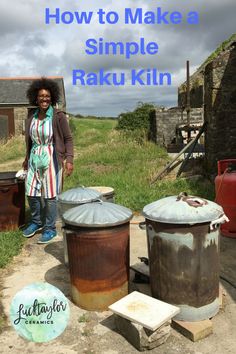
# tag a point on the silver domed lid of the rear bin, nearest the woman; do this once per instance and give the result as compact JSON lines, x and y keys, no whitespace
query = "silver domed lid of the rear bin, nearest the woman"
{"x":79,"y":195}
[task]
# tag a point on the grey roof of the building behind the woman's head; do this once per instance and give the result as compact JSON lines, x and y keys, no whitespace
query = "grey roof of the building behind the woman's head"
{"x":13,"y":90}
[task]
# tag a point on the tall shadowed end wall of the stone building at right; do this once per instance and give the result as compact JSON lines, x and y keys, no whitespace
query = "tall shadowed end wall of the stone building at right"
{"x":220,"y":108}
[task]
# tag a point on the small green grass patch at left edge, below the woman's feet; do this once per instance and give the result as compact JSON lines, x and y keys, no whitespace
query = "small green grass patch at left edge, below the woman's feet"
{"x":11,"y":244}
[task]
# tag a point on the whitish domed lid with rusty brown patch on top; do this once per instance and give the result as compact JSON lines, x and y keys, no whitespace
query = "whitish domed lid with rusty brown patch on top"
{"x":183,"y":209}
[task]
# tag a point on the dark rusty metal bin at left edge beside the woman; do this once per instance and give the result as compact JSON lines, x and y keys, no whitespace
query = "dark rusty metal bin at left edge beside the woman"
{"x":12,"y":201}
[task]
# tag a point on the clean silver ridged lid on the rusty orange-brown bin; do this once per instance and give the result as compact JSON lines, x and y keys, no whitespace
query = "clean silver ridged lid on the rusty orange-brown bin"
{"x":99,"y":214}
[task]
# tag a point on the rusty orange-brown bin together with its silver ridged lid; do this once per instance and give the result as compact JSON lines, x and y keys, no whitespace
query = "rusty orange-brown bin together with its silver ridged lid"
{"x":98,"y":251}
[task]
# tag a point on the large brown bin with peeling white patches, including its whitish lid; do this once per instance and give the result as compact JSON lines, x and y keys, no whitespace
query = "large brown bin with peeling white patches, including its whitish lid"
{"x":183,"y":248}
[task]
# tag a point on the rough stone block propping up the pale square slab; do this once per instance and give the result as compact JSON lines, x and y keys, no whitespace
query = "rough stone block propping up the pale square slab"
{"x":140,"y":337}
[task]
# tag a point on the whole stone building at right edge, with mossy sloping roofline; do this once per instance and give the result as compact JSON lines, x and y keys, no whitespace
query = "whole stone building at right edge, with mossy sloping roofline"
{"x":213,"y":87}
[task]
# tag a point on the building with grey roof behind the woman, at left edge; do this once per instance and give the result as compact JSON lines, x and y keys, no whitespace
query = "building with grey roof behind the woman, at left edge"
{"x":14,"y":106}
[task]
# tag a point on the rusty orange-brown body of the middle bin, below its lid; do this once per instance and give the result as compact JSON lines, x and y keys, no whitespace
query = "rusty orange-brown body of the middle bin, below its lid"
{"x":98,"y":264}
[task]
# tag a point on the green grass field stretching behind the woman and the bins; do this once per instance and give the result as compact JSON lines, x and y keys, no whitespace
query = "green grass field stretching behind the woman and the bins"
{"x":106,"y":157}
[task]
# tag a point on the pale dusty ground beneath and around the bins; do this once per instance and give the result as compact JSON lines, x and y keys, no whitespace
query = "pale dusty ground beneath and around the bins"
{"x":95,"y":332}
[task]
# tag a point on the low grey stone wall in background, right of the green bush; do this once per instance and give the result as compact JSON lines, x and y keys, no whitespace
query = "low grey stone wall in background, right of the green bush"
{"x":164,"y":122}
